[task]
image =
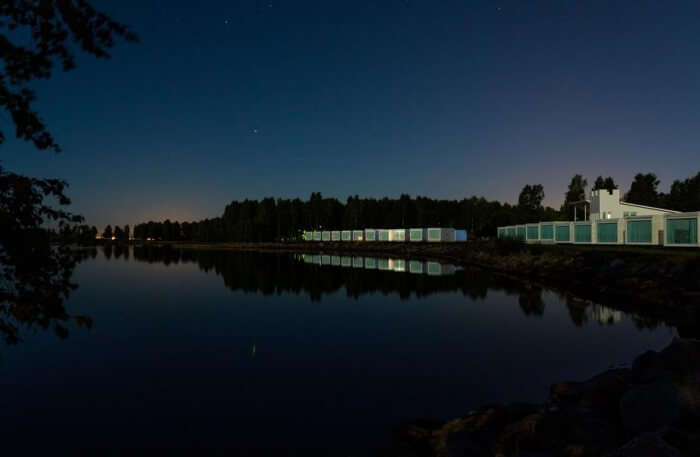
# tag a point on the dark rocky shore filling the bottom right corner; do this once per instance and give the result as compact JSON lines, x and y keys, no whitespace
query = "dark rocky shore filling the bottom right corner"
{"x":649,"y":409}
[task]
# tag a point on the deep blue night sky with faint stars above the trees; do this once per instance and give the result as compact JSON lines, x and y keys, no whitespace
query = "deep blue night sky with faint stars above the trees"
{"x":234,"y":99}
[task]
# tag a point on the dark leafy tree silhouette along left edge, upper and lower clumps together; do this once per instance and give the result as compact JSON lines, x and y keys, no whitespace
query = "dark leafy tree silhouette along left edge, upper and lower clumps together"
{"x":36,"y":273}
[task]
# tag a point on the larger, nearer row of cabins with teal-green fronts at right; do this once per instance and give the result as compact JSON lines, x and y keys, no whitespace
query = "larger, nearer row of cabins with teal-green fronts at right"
{"x":677,"y":229}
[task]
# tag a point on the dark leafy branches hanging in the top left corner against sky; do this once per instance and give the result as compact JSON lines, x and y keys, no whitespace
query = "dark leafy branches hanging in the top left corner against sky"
{"x":52,"y":26}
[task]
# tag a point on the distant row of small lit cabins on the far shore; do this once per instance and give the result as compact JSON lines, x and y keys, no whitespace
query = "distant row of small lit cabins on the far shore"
{"x":389,"y":235}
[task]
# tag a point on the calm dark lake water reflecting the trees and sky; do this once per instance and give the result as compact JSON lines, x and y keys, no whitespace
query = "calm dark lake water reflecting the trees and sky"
{"x":263,"y":350}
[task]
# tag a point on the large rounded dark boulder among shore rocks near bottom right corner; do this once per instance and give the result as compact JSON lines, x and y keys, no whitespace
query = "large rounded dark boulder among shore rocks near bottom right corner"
{"x":649,"y":407}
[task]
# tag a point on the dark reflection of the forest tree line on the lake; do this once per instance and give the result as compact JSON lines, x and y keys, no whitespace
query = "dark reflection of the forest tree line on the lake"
{"x":272,"y":274}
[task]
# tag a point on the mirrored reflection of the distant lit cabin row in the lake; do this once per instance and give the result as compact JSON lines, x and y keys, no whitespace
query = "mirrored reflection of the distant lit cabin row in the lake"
{"x":380,"y":263}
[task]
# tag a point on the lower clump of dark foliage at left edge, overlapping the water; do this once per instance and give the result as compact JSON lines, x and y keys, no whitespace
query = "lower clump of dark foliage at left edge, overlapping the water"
{"x":35,"y":273}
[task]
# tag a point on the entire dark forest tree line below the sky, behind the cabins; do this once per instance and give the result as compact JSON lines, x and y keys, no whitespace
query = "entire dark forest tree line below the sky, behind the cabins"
{"x":273,"y":219}
